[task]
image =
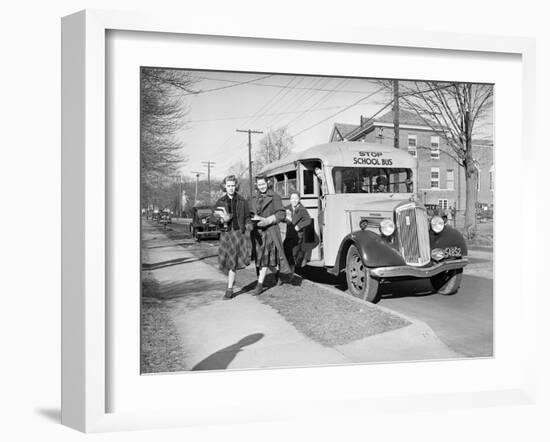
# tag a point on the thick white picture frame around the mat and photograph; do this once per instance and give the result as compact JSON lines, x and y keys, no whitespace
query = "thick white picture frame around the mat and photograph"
{"x":86,"y":233}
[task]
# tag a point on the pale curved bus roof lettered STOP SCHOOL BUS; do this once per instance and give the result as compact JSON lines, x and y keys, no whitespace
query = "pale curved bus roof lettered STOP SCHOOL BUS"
{"x":346,"y":154}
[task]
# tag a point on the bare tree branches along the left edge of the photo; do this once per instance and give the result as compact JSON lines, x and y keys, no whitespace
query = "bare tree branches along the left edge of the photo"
{"x":163,"y":114}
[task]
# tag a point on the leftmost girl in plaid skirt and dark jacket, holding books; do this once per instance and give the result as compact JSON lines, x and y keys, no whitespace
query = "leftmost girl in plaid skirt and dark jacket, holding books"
{"x":234,"y":248}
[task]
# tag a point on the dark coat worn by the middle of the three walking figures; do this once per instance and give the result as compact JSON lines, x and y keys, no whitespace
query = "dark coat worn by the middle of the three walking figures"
{"x":265,"y":205}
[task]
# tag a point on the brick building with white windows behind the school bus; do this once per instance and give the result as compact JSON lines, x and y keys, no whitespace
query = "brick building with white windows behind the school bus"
{"x":440,"y":179}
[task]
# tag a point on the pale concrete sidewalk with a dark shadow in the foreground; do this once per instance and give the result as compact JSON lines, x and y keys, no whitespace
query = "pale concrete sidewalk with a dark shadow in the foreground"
{"x":247,"y":333}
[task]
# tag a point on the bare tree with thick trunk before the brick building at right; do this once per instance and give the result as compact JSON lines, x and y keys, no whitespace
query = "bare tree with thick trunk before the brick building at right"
{"x":454,"y":111}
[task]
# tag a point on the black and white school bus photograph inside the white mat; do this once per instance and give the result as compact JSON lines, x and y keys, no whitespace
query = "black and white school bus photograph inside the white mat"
{"x":302,"y":220}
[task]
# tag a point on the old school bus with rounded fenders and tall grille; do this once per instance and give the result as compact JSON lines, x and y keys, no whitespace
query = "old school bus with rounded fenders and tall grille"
{"x":367,"y":219}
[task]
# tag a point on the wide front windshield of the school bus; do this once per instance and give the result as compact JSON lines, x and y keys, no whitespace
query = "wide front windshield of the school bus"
{"x":372,"y":180}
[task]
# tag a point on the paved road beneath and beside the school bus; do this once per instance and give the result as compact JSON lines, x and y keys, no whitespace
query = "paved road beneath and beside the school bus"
{"x":463,"y":321}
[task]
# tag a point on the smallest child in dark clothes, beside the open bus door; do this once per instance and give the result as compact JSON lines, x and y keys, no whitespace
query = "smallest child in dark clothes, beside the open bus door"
{"x":297,"y":219}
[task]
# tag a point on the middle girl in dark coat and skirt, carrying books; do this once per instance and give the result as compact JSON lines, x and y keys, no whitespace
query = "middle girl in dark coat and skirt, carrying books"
{"x":267,"y":246}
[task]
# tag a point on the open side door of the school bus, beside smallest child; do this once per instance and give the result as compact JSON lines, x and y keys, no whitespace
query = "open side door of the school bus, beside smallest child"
{"x":310,"y":198}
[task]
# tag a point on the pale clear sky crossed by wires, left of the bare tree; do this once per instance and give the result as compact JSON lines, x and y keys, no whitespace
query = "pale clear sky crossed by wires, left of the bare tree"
{"x":308,"y":106}
